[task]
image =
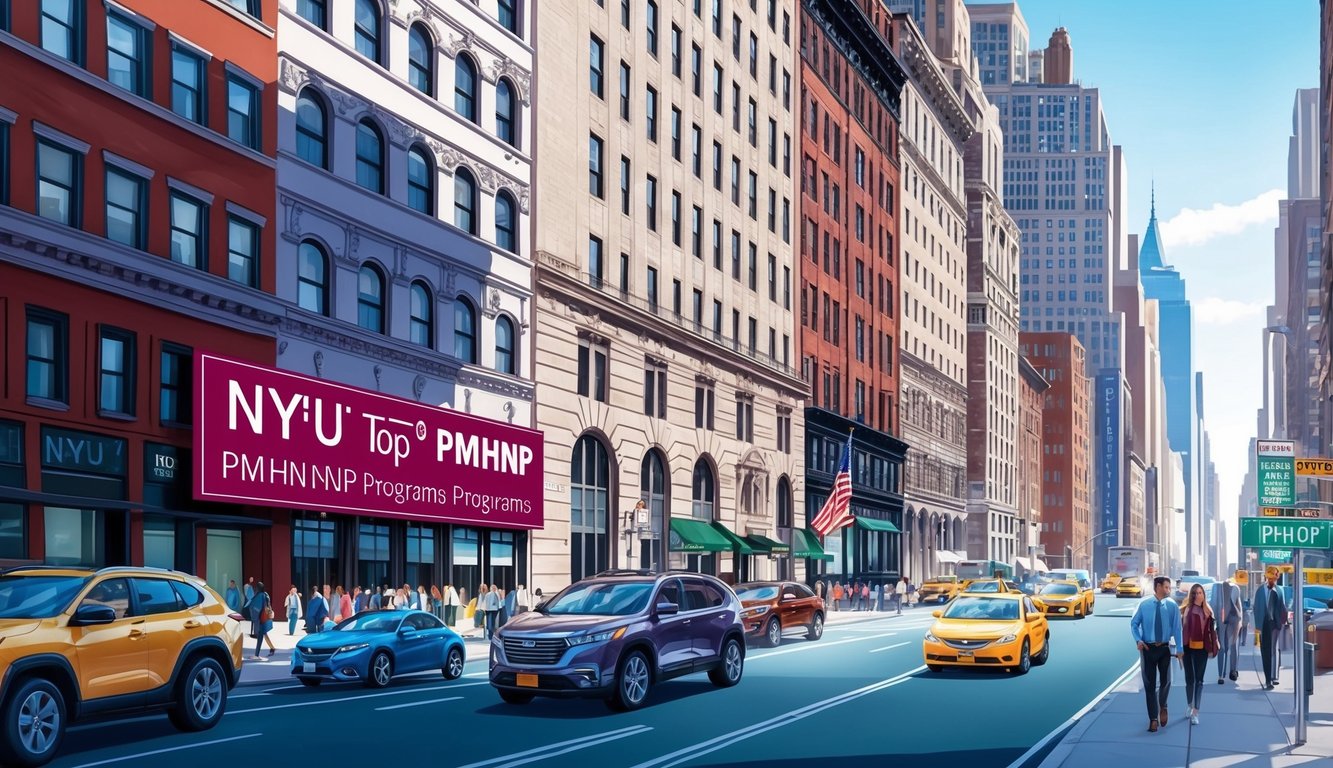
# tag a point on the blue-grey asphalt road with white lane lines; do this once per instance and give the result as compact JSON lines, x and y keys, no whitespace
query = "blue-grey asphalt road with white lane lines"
{"x":860,"y":697}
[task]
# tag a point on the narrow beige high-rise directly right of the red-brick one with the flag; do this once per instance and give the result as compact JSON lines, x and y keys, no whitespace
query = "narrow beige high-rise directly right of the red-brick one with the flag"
{"x":932,"y":349}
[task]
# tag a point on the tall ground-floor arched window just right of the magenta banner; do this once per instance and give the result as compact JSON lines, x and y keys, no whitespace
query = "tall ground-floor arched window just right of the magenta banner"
{"x":590,"y":502}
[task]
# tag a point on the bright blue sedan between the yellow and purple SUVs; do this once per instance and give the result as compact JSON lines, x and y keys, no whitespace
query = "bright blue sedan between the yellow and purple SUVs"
{"x":375,"y":646}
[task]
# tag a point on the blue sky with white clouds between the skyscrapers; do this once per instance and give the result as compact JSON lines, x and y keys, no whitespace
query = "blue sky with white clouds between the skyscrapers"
{"x":1200,"y":94}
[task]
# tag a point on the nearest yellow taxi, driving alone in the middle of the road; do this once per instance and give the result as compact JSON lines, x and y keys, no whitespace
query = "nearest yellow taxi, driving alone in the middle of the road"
{"x":1002,"y":630}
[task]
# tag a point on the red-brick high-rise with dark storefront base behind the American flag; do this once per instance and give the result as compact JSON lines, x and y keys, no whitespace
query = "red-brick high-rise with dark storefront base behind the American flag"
{"x":850,"y":269}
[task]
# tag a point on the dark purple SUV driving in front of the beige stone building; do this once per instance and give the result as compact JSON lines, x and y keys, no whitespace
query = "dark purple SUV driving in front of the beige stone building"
{"x":617,"y":635}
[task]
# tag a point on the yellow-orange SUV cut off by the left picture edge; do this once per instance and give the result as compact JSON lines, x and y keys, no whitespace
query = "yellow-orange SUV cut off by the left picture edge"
{"x":77,"y":643}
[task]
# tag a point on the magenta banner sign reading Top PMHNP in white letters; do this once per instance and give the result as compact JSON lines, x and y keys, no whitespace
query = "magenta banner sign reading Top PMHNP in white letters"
{"x":281,"y":439}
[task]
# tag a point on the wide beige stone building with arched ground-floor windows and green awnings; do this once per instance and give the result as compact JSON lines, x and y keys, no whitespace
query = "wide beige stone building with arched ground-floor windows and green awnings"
{"x":665,"y":274}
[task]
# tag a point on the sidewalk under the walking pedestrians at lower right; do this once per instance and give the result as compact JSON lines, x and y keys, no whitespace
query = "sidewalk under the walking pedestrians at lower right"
{"x":1240,"y":725}
